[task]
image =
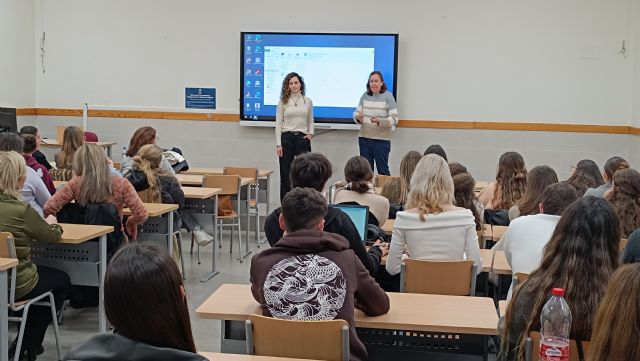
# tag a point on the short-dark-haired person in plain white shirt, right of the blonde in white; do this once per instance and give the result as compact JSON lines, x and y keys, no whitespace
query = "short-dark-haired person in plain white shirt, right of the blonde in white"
{"x":527,"y":236}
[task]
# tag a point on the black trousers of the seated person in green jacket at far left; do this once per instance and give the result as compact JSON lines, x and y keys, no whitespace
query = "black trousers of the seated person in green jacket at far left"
{"x":39,"y":317}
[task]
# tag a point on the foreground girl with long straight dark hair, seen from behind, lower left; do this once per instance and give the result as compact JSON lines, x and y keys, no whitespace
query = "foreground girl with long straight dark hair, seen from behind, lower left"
{"x":145,"y":302}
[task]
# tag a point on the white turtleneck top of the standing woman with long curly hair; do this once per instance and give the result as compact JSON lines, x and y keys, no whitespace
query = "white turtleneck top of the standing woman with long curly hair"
{"x":295,"y":116}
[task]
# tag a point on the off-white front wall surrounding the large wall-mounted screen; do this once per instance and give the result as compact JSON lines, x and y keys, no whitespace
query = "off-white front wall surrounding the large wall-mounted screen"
{"x":496,"y":60}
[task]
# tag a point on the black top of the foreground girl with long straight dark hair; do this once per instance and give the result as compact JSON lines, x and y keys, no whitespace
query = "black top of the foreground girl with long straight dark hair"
{"x":107,"y":347}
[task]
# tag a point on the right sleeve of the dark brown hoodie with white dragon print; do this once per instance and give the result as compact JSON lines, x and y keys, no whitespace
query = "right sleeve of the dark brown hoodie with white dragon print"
{"x":370,"y":298}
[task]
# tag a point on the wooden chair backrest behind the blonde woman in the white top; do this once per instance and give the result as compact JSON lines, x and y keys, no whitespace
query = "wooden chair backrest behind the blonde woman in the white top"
{"x":455,"y":278}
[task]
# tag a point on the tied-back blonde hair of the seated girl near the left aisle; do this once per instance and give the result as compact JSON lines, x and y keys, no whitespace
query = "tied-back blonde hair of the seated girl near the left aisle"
{"x":148,"y":161}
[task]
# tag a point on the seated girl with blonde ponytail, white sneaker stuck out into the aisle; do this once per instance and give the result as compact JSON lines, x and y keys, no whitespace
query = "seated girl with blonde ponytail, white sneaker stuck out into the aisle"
{"x":155,"y":185}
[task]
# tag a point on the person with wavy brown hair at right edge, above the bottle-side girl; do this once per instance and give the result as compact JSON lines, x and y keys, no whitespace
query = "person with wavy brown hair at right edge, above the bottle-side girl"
{"x":625,"y":199}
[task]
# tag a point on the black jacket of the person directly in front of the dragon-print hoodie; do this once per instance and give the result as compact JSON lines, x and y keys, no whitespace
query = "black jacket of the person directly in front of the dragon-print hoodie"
{"x":335,"y":221}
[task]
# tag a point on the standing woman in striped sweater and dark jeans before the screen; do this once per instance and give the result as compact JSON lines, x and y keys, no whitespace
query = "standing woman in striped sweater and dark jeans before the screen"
{"x":377,"y":115}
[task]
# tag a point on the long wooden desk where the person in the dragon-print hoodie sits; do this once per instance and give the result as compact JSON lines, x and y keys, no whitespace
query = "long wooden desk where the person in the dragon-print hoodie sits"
{"x":465,"y":316}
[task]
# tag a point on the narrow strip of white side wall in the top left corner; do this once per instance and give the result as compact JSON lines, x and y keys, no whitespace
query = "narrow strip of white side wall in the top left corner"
{"x":17,"y":53}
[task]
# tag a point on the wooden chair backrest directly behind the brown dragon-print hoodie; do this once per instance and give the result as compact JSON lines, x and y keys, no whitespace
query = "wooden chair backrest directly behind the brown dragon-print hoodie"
{"x":319,"y":340}
